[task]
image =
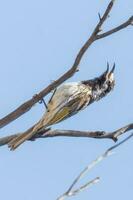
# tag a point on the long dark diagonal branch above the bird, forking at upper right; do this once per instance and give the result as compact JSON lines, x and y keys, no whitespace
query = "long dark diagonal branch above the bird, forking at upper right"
{"x":26,"y":106}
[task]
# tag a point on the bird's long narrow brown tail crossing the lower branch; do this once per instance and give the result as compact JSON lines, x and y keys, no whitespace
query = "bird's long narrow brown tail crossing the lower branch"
{"x":18,"y":140}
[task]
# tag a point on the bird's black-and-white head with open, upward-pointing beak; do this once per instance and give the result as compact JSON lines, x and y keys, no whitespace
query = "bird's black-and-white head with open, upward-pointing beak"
{"x":103,"y":84}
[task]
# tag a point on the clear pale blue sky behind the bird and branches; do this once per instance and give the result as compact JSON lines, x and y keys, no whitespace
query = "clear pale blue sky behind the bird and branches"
{"x":38,"y":42}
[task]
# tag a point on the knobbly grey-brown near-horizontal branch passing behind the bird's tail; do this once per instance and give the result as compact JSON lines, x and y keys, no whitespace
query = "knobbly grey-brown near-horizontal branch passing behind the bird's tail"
{"x":46,"y":133}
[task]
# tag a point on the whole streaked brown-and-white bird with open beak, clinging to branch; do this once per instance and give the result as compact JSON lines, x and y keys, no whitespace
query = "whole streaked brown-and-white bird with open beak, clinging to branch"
{"x":67,"y":100}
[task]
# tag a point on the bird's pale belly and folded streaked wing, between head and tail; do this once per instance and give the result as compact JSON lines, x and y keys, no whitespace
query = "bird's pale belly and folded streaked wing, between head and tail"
{"x":66,"y":101}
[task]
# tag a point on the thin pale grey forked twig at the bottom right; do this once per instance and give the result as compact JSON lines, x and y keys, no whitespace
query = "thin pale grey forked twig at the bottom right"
{"x":108,"y":152}
